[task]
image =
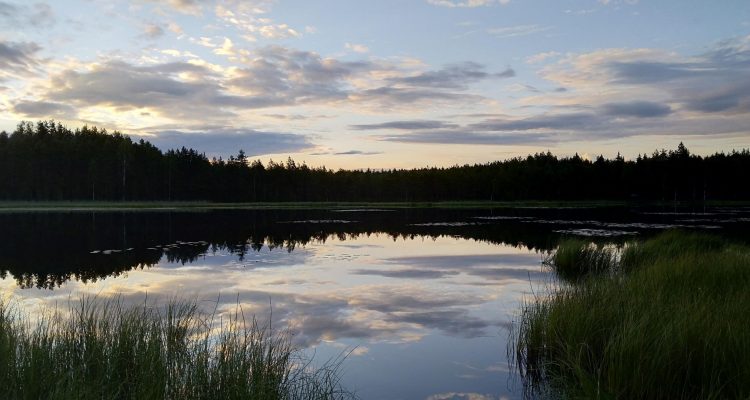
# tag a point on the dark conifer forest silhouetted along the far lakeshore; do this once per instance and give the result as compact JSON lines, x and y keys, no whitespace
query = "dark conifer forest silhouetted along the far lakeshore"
{"x":49,"y":162}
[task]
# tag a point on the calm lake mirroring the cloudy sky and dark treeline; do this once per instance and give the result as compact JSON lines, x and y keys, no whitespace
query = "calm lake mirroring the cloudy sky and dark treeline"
{"x":421,"y":301}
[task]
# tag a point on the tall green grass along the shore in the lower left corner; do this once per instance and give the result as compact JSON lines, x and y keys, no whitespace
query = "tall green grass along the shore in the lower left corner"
{"x":102,"y":349}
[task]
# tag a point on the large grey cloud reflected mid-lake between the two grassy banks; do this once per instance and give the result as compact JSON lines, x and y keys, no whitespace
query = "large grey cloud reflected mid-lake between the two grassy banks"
{"x":366,"y":312}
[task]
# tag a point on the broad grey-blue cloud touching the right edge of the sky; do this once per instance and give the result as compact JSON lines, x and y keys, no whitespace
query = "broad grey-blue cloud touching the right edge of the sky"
{"x":717,"y":81}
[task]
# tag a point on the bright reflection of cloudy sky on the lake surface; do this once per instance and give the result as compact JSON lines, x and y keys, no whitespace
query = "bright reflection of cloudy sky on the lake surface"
{"x":366,"y":291}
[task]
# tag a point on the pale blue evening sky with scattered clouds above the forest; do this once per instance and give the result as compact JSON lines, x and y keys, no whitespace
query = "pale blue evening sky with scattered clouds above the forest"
{"x":388,"y":83}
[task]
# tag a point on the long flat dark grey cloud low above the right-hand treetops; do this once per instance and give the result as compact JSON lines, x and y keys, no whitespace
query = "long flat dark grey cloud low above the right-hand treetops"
{"x":606,"y":121}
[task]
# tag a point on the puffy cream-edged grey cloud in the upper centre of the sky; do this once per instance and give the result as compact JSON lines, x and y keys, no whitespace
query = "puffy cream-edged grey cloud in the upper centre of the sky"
{"x":276,"y":75}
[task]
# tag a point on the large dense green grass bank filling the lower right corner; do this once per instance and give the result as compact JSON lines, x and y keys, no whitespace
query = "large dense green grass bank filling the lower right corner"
{"x":673,"y":323}
